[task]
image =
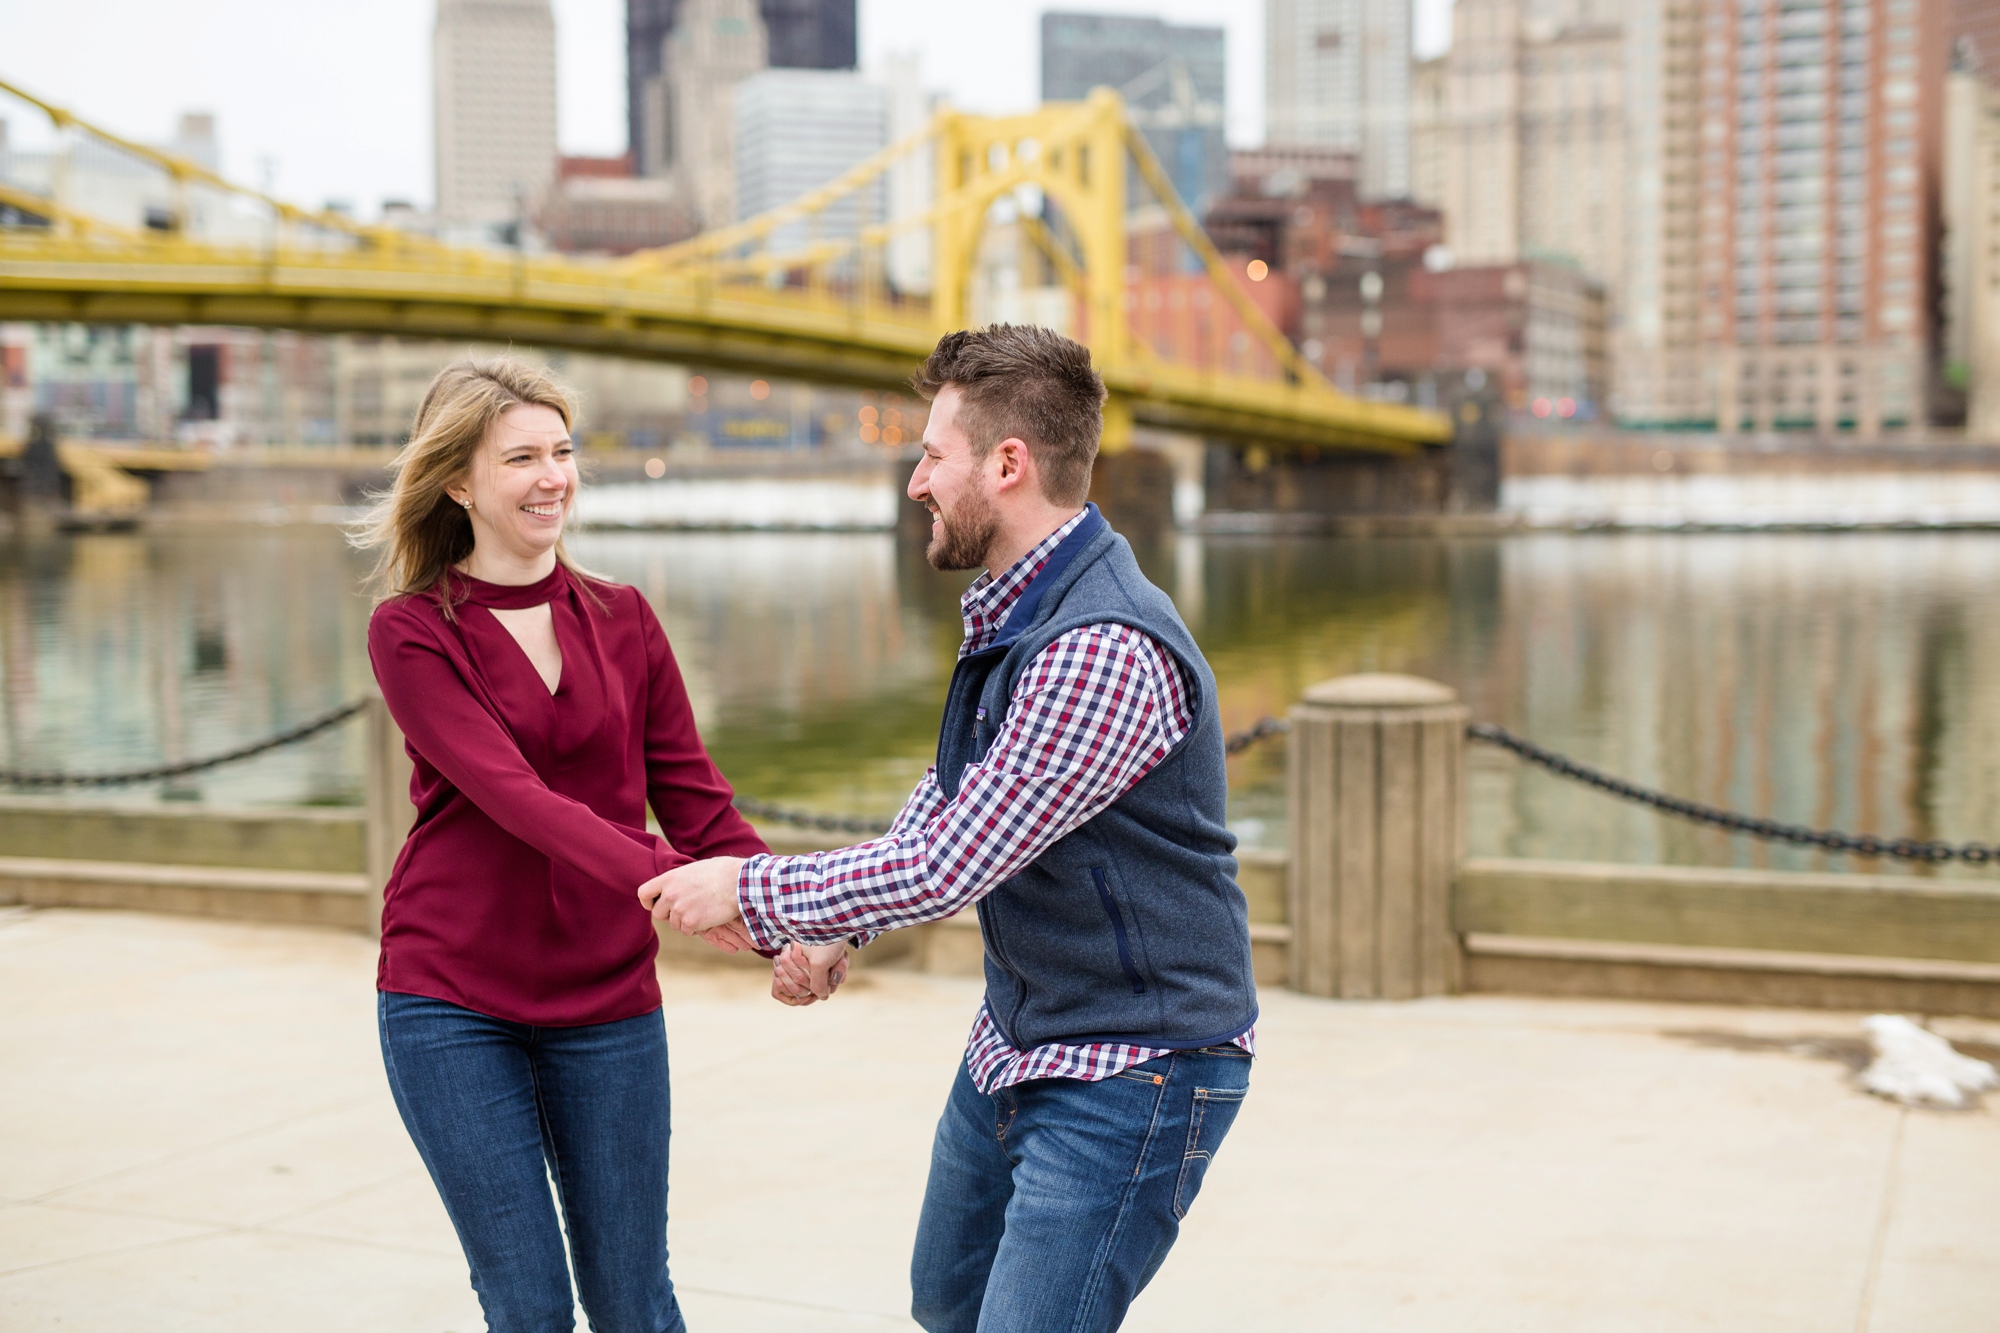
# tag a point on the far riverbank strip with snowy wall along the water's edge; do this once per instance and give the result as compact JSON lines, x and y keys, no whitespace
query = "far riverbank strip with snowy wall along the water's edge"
{"x":1557,"y":481}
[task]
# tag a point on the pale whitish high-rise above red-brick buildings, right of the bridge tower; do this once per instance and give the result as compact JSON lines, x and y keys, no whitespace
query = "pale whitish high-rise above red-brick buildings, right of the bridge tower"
{"x":1337,"y":75}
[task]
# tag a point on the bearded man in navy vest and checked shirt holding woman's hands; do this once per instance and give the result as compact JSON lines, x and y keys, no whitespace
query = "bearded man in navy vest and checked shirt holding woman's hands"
{"x":1079,"y":802}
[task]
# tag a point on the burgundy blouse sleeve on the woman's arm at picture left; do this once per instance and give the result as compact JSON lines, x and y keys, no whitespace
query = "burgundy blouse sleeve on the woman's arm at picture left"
{"x":461,"y":736}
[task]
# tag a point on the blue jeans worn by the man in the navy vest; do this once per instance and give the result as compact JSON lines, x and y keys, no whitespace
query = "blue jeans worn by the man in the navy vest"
{"x":1053,"y":1204}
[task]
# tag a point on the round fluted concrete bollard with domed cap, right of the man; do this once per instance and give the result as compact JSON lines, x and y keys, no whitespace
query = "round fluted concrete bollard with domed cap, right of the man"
{"x":1377,"y":806}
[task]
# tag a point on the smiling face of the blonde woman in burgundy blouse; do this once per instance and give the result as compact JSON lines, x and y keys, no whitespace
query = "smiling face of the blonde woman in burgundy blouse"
{"x":521,"y":483}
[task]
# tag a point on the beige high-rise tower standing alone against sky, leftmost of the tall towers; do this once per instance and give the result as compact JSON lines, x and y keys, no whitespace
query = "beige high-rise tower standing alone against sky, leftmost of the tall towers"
{"x":495,"y":103}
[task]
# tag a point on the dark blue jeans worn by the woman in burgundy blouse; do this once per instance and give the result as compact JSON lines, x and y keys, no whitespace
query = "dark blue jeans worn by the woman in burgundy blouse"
{"x":501,"y":1108}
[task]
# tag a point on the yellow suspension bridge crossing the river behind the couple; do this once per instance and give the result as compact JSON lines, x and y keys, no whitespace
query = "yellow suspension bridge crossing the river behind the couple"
{"x":733,"y":299}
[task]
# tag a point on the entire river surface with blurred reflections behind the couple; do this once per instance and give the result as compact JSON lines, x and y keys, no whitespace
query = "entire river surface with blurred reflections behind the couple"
{"x":1833,"y":680}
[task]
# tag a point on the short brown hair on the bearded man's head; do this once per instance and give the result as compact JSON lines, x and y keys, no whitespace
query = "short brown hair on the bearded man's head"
{"x":1033,"y":385}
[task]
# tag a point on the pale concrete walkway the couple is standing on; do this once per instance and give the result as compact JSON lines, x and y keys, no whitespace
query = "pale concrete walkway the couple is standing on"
{"x":199,"y":1138}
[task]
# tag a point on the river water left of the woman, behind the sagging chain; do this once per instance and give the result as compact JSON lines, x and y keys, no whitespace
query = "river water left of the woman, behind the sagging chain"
{"x":127,"y":649}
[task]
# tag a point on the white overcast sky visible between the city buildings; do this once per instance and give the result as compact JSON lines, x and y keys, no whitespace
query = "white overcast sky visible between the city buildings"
{"x":333,"y":101}
